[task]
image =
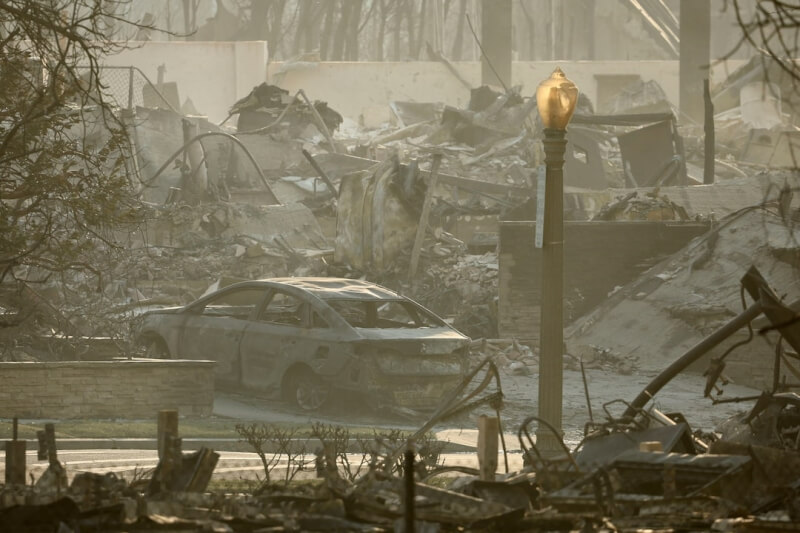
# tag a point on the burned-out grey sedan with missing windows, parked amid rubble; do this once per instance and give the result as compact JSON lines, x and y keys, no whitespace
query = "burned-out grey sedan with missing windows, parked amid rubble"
{"x":303,"y":338}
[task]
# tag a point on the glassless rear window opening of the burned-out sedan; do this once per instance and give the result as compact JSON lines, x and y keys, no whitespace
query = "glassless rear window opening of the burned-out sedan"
{"x":374,"y":313}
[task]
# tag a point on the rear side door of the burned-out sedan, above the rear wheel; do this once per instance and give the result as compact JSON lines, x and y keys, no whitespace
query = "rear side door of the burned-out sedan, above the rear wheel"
{"x":280,"y":335}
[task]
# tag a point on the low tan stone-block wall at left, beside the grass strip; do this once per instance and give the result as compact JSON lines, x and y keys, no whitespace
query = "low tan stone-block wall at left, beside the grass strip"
{"x":106,"y":389}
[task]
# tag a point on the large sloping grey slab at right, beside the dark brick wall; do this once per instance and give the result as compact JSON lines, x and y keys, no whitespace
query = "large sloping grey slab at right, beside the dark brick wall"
{"x":666,"y":310}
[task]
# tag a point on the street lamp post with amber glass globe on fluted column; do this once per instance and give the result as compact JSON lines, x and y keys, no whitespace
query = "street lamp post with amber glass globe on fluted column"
{"x":556,"y":98}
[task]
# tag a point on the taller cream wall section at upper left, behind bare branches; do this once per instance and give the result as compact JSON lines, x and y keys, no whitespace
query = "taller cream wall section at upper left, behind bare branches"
{"x":213,"y":74}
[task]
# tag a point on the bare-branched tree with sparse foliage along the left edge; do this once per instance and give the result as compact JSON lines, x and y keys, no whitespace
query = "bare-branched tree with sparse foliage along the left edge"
{"x":65,"y":186}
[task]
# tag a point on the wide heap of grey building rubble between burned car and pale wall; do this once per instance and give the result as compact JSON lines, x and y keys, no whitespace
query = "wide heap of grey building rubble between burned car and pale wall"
{"x":273,"y":196}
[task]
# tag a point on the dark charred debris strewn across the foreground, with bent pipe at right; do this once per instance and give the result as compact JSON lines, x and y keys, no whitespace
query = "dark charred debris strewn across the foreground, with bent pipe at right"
{"x":635,"y":467}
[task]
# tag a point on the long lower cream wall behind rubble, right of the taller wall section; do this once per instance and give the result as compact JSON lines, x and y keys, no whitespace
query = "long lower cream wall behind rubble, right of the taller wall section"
{"x":362,"y":91}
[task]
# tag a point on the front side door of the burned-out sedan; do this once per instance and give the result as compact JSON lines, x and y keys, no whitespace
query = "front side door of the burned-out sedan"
{"x":214,"y":330}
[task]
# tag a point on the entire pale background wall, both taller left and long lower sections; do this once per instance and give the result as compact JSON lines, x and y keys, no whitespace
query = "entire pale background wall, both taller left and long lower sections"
{"x":216,"y":74}
